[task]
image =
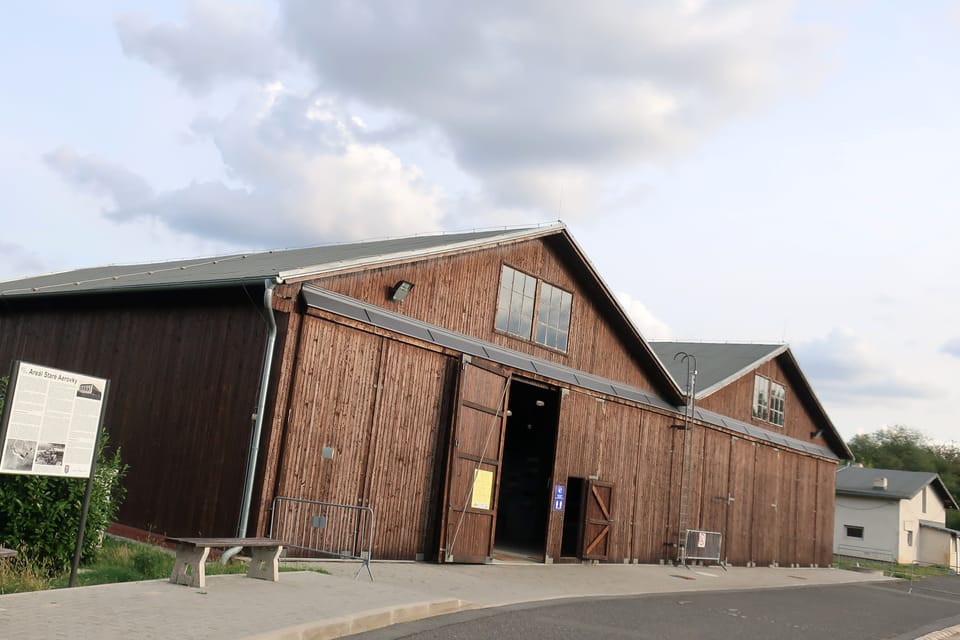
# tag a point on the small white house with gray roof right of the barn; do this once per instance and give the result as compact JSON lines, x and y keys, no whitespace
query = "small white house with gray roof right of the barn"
{"x":894,"y":516}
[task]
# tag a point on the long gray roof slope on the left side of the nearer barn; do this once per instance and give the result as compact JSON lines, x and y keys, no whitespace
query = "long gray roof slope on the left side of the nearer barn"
{"x":281,"y":265}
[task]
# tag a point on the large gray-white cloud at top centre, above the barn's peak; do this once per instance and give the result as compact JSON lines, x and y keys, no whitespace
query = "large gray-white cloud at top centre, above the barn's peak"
{"x":532,"y":99}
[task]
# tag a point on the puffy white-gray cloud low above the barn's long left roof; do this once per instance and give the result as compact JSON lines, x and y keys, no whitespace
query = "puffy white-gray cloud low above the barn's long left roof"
{"x":297,"y":176}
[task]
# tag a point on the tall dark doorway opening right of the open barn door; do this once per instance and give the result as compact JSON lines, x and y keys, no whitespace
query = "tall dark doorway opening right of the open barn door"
{"x":525,"y":493}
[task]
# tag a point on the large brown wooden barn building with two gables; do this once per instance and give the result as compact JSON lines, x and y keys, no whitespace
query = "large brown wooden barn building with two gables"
{"x":458,"y":385}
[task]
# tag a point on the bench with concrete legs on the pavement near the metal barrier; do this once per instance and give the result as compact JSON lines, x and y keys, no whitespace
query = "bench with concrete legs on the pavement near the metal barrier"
{"x":188,"y":568}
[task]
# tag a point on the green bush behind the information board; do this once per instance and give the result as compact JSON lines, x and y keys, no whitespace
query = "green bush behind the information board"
{"x":40,"y":515}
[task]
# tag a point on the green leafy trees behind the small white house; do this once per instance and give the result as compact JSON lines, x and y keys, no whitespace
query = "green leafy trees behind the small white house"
{"x":907,"y":449}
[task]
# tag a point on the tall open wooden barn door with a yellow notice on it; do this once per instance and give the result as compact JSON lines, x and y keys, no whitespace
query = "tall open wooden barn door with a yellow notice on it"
{"x":473,"y":470}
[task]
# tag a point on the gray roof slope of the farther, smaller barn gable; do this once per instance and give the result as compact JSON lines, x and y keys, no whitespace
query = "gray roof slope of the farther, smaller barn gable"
{"x":718,"y":364}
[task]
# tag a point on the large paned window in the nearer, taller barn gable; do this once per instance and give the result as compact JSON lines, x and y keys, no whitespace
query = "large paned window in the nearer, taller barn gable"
{"x":519,"y":302}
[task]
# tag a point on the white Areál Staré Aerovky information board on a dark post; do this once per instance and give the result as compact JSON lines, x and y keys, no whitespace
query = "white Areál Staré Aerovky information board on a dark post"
{"x":51,"y":426}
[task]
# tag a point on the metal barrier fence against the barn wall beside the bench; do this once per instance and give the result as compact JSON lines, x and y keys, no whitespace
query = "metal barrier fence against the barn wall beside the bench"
{"x":325,"y":529}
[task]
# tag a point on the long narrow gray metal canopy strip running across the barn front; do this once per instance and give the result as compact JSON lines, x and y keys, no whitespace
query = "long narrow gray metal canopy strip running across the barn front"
{"x":379,"y":317}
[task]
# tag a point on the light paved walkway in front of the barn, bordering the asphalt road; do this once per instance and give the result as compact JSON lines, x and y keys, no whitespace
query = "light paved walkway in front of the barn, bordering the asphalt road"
{"x":313,"y":605}
